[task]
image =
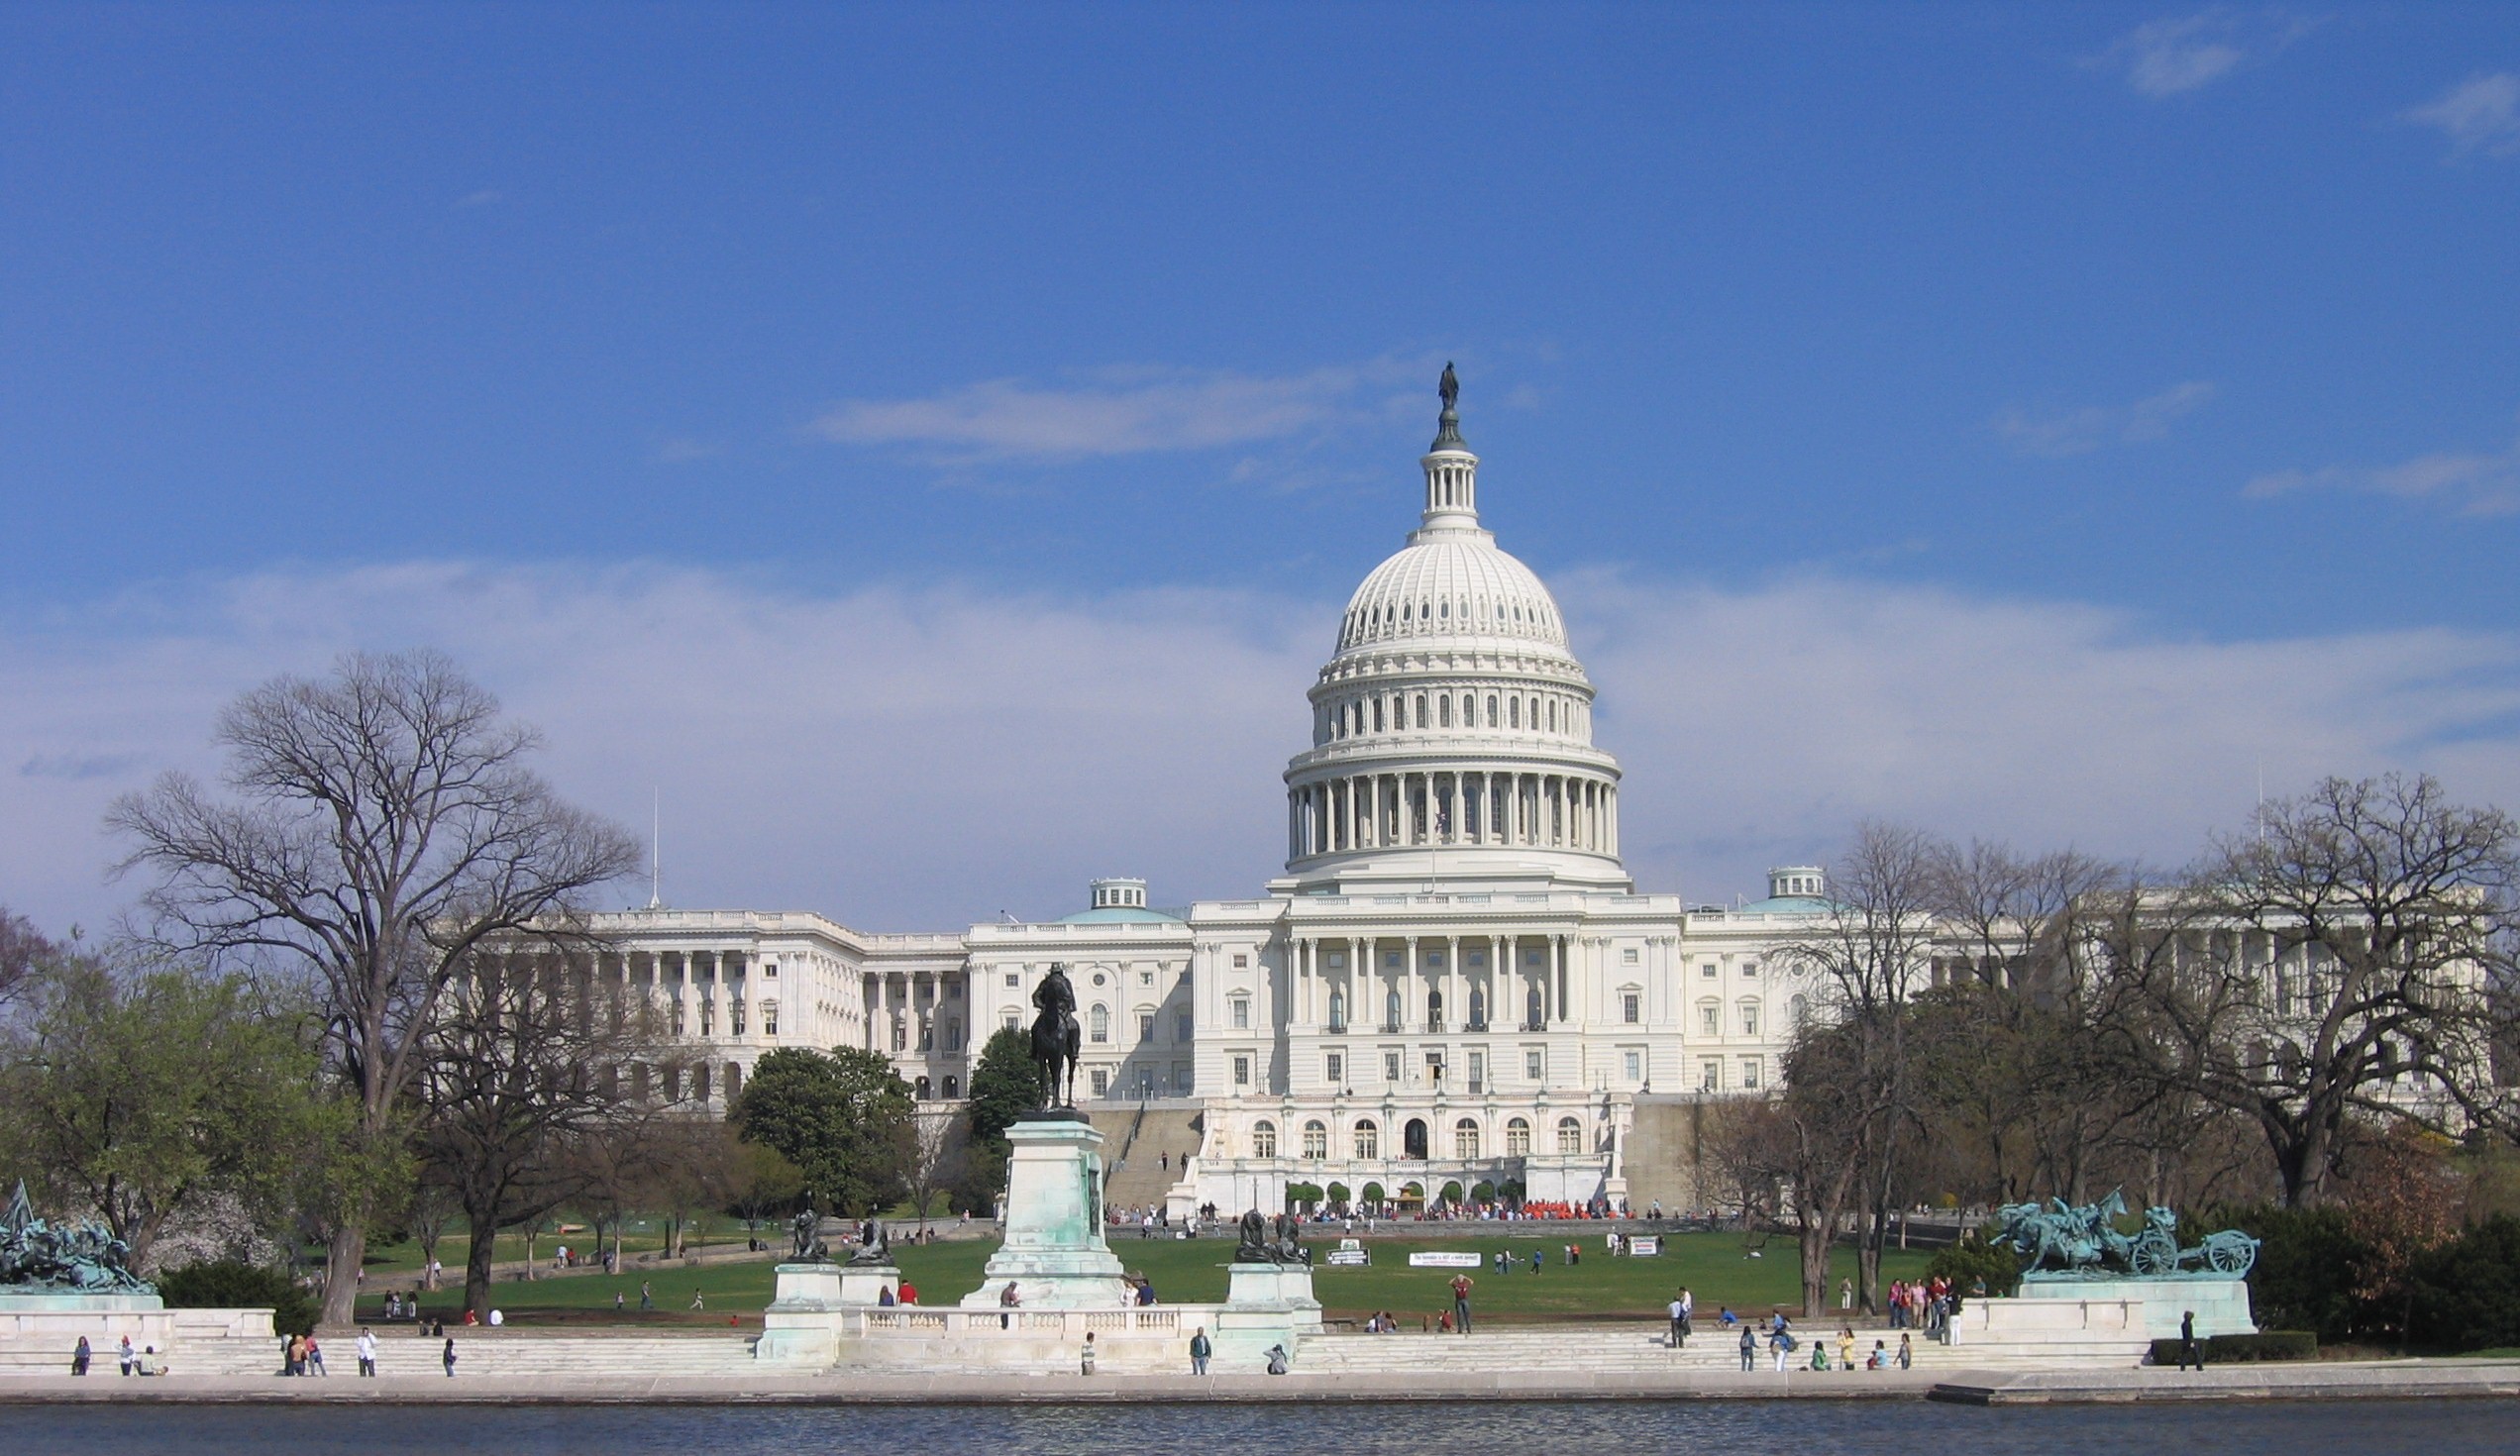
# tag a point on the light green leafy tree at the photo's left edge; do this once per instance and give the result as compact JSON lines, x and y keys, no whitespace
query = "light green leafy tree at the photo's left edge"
{"x":137,"y":1095}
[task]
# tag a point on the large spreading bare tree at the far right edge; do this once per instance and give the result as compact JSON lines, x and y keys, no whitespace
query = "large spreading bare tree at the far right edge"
{"x":2335,"y":964}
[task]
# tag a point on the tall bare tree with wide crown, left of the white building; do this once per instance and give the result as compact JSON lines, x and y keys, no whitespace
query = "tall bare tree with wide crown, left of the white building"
{"x":384,"y":828}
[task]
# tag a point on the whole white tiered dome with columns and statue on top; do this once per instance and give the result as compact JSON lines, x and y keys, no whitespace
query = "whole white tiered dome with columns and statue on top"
{"x":1453,"y":729}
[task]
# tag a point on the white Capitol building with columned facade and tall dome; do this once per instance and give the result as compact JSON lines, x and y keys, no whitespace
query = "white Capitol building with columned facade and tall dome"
{"x":1453,"y":984}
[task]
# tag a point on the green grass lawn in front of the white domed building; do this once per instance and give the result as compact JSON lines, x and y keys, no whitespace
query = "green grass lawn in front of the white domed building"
{"x":1599,"y":1288}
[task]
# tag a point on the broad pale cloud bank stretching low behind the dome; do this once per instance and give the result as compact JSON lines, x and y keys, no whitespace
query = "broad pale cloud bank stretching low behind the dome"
{"x":924,"y":759}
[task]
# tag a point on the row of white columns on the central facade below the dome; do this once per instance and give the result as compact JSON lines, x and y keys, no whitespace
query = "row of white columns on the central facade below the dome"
{"x":1317,"y":981}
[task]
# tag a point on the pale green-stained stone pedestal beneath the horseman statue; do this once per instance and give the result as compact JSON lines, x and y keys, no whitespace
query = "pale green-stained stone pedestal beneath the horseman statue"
{"x":1055,"y":1241}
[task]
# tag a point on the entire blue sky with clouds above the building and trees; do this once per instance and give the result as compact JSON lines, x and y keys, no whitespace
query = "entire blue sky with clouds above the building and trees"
{"x":2148,"y":372}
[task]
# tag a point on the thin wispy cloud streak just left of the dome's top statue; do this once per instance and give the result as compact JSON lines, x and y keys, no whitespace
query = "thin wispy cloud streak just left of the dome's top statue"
{"x":1128,"y":412}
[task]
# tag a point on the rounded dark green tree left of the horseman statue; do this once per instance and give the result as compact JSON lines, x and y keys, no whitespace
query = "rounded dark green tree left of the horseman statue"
{"x":843,"y":1117}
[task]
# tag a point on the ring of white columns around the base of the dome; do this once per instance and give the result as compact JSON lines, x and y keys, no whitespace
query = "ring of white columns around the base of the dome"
{"x":1465,"y":807}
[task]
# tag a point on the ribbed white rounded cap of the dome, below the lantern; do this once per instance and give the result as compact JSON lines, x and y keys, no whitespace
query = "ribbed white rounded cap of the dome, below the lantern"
{"x":1453,"y":586}
